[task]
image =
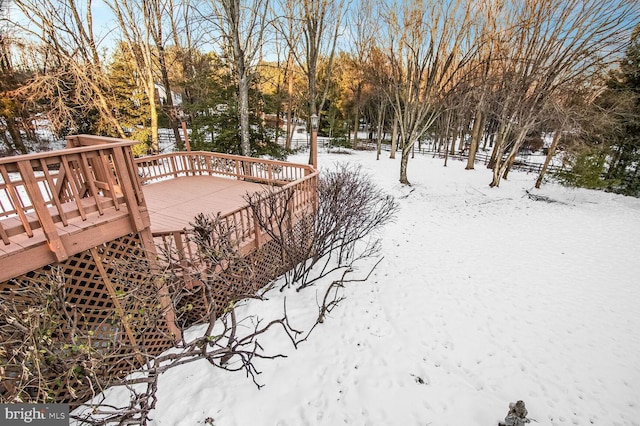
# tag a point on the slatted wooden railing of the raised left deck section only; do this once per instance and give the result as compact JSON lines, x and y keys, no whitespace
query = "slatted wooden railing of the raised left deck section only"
{"x":43,"y":193}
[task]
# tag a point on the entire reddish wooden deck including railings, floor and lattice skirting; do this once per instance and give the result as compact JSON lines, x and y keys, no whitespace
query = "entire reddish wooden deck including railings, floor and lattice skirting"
{"x":85,"y":209}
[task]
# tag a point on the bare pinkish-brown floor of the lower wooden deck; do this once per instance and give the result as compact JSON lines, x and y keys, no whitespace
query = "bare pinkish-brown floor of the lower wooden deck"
{"x":172,"y":204}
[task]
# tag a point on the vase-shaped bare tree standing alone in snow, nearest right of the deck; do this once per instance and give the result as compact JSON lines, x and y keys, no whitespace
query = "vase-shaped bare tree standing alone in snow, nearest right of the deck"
{"x":427,"y":44}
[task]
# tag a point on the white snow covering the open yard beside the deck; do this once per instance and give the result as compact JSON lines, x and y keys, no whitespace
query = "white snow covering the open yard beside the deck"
{"x":484,"y":297}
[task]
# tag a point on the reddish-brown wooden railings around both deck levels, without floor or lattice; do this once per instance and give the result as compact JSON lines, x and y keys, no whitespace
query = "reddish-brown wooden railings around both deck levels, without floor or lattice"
{"x":44,"y":195}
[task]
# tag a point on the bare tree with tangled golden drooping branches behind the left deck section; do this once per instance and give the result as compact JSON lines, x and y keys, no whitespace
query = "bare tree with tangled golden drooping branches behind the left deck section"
{"x":66,"y":54}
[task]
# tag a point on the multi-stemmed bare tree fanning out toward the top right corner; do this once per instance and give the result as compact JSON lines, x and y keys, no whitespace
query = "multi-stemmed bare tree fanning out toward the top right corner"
{"x":547,"y":45}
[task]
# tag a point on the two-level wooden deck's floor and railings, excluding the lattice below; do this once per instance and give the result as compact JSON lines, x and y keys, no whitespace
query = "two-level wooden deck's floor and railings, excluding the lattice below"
{"x":57,"y":204}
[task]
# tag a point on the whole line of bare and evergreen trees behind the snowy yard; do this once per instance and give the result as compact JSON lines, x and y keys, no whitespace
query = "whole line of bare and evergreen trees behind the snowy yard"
{"x":493,"y":74}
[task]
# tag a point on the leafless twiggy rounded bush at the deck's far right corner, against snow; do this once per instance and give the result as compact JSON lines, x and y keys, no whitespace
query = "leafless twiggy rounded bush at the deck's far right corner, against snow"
{"x":351,"y":209}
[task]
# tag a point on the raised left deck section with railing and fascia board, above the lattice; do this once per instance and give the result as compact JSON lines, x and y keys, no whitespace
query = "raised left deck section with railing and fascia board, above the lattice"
{"x":56,"y":204}
